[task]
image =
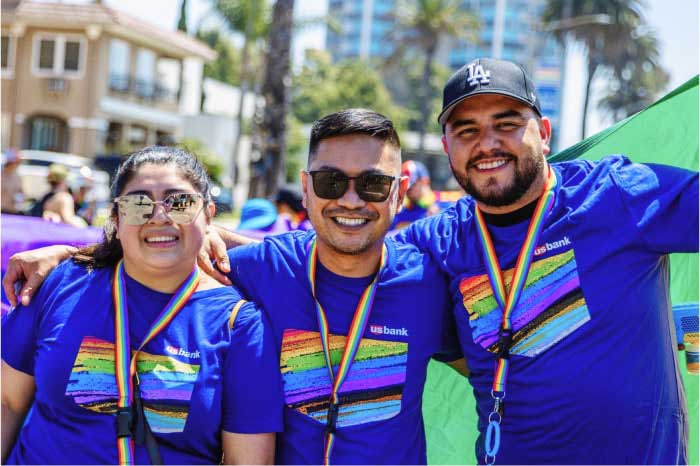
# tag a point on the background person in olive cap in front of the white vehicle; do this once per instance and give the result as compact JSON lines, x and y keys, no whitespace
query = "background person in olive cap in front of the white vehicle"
{"x":58,"y":205}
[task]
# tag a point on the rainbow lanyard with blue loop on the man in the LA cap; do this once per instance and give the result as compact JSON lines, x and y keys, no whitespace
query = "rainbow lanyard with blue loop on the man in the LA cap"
{"x":507,"y":302}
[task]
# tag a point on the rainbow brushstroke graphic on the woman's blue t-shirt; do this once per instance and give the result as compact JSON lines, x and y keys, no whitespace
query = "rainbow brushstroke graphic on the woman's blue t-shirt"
{"x":166,"y":384}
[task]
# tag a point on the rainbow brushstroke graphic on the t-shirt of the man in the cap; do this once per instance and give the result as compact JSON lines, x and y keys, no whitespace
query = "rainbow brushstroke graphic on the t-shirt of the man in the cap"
{"x":551,"y":306}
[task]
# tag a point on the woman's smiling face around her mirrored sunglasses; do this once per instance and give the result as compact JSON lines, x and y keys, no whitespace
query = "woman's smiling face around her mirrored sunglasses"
{"x":160,"y":247}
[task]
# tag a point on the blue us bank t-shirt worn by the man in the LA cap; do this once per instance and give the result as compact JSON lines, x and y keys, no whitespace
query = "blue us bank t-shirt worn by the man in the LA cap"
{"x":594,"y":374}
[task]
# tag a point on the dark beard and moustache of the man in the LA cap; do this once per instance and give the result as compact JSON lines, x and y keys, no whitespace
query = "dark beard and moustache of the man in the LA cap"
{"x":527,"y":169}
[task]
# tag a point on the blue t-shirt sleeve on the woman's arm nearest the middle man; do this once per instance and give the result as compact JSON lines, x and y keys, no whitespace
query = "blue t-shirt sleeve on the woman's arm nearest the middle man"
{"x":252,"y":385}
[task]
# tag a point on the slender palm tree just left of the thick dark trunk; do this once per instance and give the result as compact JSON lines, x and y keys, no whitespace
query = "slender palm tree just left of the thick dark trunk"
{"x":250,"y":19}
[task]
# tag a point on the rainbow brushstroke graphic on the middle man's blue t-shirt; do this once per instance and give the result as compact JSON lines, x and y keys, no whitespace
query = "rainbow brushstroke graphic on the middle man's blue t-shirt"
{"x":371,"y":392}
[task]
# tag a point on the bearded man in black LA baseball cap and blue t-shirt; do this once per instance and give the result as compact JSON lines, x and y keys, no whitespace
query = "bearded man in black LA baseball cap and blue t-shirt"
{"x":559,"y":278}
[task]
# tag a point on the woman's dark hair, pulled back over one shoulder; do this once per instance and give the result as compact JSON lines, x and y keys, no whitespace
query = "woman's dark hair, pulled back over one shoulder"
{"x":109,"y":251}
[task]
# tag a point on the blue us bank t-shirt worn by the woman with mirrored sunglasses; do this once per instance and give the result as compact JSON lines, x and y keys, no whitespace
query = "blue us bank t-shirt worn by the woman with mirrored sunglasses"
{"x":198,"y":376}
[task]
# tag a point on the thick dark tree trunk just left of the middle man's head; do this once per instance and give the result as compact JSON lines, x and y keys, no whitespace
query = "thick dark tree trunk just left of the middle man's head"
{"x":275,"y":91}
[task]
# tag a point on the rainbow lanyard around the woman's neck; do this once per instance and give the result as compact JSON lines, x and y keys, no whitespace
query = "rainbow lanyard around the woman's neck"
{"x":124,"y":367}
